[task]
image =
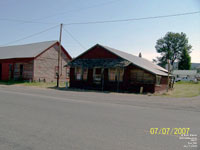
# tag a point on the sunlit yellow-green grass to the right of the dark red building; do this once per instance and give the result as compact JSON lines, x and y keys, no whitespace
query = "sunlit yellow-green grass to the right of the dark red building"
{"x":184,"y":89}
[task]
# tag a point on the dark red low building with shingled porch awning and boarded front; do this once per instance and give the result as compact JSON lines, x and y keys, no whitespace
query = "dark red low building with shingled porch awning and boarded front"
{"x":105,"y":68}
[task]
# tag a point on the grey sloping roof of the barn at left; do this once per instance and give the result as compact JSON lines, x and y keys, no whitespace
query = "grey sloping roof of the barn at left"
{"x":24,"y":51}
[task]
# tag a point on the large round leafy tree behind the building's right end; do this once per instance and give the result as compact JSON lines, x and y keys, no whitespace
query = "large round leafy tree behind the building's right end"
{"x":171,"y":47}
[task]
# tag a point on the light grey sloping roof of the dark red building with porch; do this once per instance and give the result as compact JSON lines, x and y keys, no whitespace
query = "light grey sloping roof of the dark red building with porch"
{"x":138,"y":61}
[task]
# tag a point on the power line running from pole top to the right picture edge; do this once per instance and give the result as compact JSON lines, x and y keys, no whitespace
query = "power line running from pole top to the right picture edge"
{"x":133,"y":19}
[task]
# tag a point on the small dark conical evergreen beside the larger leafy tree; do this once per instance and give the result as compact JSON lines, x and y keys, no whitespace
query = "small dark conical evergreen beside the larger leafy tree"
{"x":185,"y":61}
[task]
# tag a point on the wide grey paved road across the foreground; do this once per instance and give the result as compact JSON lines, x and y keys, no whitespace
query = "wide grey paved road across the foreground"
{"x":46,"y":119}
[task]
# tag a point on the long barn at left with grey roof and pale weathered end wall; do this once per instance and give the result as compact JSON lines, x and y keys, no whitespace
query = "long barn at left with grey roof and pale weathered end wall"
{"x":35,"y":62}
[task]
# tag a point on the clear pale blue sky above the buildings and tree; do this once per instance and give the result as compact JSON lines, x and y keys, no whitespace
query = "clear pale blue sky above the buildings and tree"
{"x":132,"y":37}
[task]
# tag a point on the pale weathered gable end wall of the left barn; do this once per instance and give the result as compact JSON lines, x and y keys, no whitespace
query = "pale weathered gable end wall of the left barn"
{"x":45,"y":65}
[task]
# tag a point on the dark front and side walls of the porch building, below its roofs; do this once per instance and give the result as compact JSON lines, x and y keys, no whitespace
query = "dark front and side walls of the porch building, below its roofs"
{"x":124,"y":79}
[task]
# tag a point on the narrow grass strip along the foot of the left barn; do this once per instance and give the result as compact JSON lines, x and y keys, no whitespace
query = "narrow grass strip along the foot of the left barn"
{"x":34,"y":84}
